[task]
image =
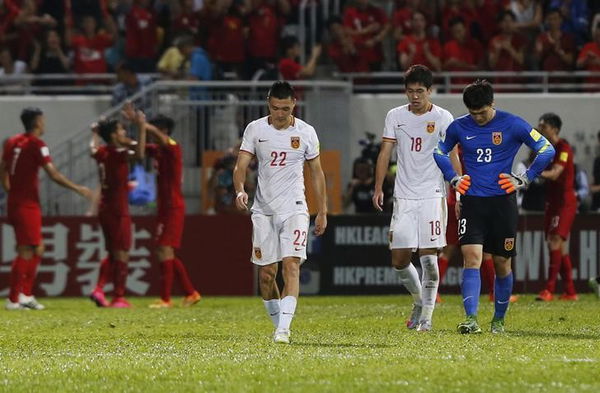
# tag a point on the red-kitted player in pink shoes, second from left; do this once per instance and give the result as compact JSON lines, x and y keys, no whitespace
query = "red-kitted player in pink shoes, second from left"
{"x":113,"y":213}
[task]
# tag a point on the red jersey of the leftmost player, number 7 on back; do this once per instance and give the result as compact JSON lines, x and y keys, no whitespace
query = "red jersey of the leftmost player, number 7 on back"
{"x":23,"y":156}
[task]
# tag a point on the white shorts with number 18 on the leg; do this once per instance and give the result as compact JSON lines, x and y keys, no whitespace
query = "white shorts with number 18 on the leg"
{"x":418,"y":223}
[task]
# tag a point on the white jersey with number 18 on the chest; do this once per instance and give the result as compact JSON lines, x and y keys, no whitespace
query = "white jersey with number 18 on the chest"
{"x":416,"y":136}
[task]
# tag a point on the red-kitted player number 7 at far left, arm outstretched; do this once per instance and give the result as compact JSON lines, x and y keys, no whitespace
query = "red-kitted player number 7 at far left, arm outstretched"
{"x":22,"y":157}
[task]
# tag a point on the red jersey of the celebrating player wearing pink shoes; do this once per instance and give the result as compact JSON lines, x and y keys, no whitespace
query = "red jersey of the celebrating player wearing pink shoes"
{"x":113,"y":169}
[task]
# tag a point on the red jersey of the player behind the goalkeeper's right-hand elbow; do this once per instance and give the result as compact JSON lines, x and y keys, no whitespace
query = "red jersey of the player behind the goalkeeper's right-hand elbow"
{"x":562,"y":190}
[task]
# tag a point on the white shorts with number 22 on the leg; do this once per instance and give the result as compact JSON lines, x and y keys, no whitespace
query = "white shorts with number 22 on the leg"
{"x":278,"y":236}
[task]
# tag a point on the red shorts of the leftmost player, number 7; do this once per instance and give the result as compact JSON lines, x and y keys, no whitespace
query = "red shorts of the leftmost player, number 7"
{"x":27,"y":223}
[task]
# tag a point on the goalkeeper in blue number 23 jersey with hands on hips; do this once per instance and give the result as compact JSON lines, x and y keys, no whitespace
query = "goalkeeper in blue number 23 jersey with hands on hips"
{"x":490,"y":139}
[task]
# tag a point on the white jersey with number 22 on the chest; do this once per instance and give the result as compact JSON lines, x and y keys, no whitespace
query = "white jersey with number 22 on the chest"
{"x":281,"y":155}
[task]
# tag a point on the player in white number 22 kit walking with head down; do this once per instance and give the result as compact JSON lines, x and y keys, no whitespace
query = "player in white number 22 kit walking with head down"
{"x":282,"y":144}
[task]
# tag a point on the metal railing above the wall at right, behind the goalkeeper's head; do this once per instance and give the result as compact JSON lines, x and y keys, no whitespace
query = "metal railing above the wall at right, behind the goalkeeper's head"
{"x":448,"y":82}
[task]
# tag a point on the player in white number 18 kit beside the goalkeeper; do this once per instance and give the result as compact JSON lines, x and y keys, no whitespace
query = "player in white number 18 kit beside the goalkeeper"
{"x":419,"y":216}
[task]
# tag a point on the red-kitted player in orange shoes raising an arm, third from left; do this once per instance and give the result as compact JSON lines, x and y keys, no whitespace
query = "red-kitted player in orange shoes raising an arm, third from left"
{"x":167,"y":156}
